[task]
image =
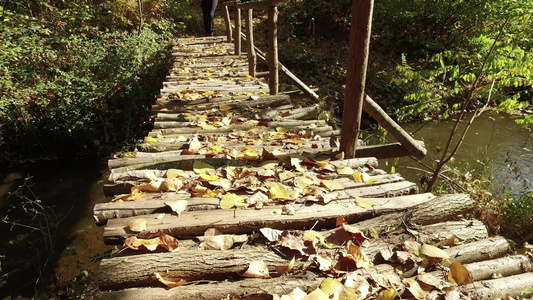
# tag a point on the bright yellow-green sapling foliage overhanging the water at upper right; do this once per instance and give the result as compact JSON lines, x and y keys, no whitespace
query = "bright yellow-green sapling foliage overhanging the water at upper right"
{"x":439,"y":79}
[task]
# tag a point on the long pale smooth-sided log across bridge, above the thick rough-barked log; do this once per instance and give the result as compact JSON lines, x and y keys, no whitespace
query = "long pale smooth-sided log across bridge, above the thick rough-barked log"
{"x":249,"y":220}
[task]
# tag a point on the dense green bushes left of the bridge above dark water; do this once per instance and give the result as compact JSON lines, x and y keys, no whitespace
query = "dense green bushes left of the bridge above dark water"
{"x":83,"y":87}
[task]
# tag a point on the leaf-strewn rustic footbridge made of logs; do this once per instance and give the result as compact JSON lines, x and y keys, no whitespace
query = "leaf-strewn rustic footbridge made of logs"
{"x":239,"y":193}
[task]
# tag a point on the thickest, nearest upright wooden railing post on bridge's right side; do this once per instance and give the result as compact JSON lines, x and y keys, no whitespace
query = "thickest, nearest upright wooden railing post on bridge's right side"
{"x":356,"y":75}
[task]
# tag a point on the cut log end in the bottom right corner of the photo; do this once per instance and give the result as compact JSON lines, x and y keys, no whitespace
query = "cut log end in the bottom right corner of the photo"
{"x":511,"y":286}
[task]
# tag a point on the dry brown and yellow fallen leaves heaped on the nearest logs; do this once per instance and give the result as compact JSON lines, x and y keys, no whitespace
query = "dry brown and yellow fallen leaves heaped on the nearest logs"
{"x":420,"y":270}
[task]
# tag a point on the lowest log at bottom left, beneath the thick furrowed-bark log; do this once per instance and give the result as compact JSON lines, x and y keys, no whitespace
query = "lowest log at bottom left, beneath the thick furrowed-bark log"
{"x":258,"y":289}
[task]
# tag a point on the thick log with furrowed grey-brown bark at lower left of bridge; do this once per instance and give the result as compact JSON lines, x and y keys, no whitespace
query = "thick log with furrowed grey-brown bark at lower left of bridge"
{"x":121,"y":272}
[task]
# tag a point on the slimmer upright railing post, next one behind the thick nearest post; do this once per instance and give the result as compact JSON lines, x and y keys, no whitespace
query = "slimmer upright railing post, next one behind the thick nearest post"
{"x":273,"y":63}
